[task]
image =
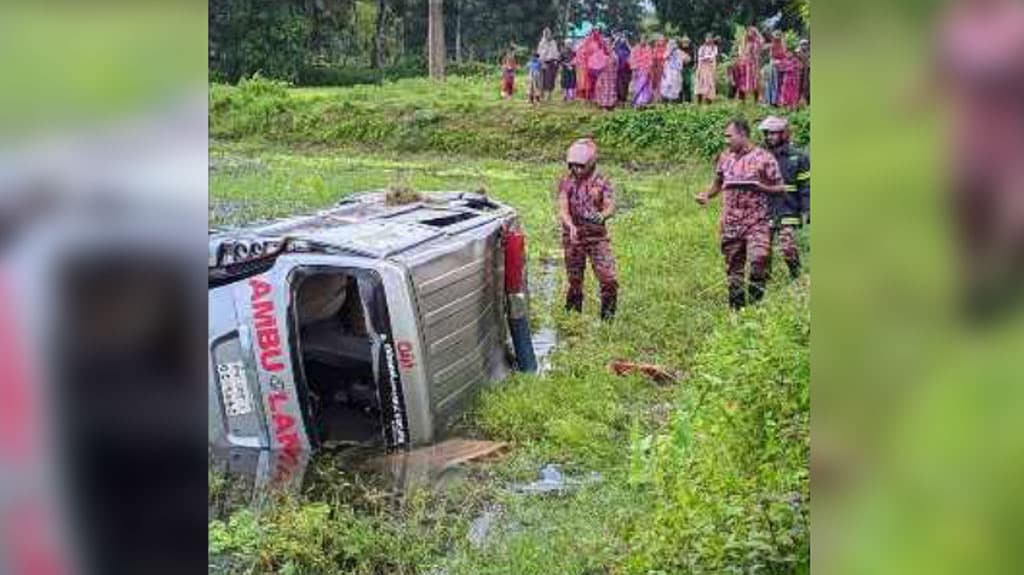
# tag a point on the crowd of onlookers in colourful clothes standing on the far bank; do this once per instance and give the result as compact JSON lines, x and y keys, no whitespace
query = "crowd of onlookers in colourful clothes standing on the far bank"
{"x":611,"y":72}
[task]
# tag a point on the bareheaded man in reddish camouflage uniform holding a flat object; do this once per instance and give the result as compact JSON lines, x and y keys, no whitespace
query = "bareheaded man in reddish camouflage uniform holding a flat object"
{"x":748,"y":175}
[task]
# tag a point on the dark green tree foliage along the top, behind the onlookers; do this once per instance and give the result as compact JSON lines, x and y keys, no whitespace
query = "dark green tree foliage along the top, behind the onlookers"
{"x":334,"y":42}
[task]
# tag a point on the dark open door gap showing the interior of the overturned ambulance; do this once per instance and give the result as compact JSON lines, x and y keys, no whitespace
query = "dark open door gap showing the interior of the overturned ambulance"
{"x":337,"y":360}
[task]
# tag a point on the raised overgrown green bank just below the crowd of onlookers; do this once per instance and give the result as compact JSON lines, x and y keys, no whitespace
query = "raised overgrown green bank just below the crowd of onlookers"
{"x":467,"y":117}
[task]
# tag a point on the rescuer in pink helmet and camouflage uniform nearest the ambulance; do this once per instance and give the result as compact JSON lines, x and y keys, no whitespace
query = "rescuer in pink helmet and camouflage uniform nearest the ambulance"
{"x":586,"y":201}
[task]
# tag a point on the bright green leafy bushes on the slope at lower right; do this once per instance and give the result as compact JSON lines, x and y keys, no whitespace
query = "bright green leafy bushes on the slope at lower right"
{"x":732,"y":470}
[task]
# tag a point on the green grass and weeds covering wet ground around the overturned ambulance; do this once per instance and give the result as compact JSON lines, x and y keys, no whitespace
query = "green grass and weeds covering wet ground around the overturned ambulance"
{"x":707,"y":475}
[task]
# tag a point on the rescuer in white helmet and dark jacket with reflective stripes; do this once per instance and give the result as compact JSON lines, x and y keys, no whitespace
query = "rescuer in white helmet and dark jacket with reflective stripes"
{"x":790,"y":209}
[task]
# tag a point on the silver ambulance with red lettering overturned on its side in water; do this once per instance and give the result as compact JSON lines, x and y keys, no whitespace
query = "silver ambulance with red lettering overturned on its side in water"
{"x":368,"y":323}
